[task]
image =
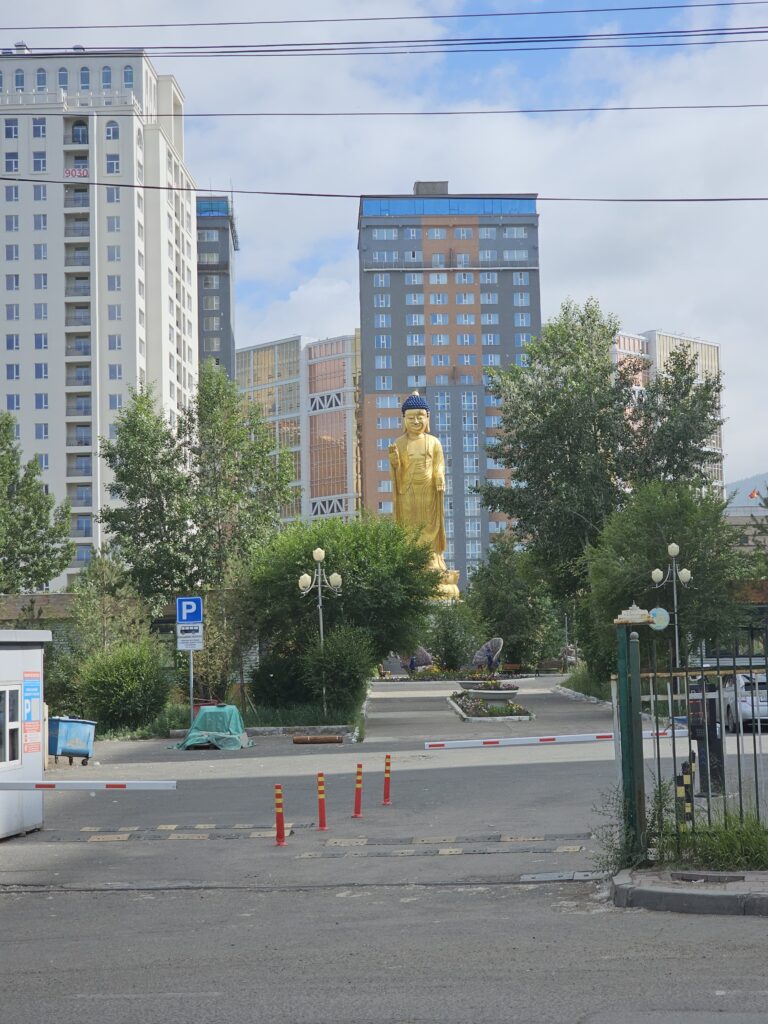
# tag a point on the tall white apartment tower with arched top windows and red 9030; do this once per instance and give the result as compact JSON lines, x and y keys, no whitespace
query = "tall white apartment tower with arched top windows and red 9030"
{"x":100,"y":276}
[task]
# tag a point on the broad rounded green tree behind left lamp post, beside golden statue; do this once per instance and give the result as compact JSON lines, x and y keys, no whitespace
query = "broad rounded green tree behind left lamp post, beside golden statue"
{"x":387,"y":590}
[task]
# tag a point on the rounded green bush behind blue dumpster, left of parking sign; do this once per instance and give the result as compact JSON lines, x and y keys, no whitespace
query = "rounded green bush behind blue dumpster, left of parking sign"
{"x":124,"y":688}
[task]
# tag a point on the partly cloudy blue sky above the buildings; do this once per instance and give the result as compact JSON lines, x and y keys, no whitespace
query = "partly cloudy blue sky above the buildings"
{"x":699,"y":269}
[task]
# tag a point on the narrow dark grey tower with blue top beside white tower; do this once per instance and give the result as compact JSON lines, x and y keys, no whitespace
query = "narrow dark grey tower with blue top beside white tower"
{"x":218,"y":243}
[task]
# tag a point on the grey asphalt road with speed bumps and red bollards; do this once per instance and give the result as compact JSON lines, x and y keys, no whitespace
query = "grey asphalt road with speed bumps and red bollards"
{"x":464,"y":902}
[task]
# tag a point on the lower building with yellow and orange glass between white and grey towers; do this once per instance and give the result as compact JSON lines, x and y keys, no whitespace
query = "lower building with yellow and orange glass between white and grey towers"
{"x":308,"y":392}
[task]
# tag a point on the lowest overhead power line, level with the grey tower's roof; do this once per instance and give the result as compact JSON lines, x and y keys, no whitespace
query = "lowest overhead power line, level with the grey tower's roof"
{"x":360,"y":196}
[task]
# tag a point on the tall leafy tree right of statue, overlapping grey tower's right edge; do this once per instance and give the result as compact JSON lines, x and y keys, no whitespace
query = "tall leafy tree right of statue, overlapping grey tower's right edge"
{"x":566,"y":437}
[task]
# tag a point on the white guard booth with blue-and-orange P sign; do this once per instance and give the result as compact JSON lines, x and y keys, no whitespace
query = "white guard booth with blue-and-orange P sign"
{"x":22,"y":754}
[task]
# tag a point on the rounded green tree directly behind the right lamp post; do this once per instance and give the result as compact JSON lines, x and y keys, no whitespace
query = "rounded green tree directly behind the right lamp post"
{"x":634,"y":542}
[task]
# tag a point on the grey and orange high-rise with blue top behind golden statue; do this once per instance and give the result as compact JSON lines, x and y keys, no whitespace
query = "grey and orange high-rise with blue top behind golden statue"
{"x":449,"y":289}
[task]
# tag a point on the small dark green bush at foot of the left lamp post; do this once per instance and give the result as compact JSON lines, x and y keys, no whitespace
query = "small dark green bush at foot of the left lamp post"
{"x":338,"y":672}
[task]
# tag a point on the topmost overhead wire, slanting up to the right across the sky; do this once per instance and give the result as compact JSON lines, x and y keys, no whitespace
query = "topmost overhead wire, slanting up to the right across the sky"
{"x":379,"y":18}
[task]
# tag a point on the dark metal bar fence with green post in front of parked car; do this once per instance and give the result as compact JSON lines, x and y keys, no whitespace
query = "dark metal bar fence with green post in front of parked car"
{"x":715,"y":757}
